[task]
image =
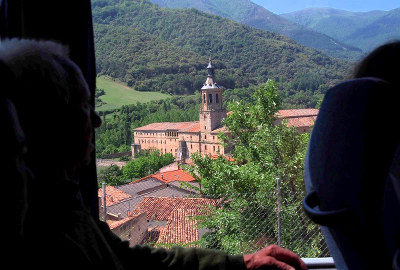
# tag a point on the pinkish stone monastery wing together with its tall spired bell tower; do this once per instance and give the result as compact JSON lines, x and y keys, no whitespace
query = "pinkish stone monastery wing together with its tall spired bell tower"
{"x":182,"y":139}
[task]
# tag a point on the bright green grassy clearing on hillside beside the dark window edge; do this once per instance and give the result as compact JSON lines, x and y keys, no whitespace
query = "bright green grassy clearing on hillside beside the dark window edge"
{"x":118,"y":94}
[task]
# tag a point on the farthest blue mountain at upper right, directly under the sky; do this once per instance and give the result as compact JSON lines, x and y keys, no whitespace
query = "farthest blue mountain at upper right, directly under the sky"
{"x":365,"y":30}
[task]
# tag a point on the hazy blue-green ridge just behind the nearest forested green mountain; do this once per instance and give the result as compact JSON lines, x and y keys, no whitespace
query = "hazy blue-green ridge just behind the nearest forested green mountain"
{"x":249,"y":13}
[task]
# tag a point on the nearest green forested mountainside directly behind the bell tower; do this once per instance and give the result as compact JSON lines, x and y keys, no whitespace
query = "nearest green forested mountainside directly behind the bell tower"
{"x":158,"y":49}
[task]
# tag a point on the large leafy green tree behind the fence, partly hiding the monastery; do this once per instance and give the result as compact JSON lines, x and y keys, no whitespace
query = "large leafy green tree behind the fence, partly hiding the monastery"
{"x":263,"y":151}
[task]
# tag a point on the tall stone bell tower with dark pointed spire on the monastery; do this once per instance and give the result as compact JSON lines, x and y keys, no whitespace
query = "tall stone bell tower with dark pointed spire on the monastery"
{"x":211,"y":110}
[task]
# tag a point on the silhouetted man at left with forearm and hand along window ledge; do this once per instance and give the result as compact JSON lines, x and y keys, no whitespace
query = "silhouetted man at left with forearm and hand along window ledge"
{"x":52,"y":101}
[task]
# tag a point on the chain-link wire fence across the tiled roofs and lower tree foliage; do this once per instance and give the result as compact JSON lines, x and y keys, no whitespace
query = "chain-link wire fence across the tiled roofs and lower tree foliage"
{"x":159,"y":214}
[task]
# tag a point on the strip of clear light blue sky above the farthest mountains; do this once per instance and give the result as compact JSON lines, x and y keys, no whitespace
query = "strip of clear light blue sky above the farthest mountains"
{"x":284,"y":6}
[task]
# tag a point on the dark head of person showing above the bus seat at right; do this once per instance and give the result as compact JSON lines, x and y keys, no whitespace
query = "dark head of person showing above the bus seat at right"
{"x":382,"y":63}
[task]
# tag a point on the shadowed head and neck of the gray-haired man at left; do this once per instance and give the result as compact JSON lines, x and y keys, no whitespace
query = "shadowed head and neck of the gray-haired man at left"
{"x":52,"y":100}
